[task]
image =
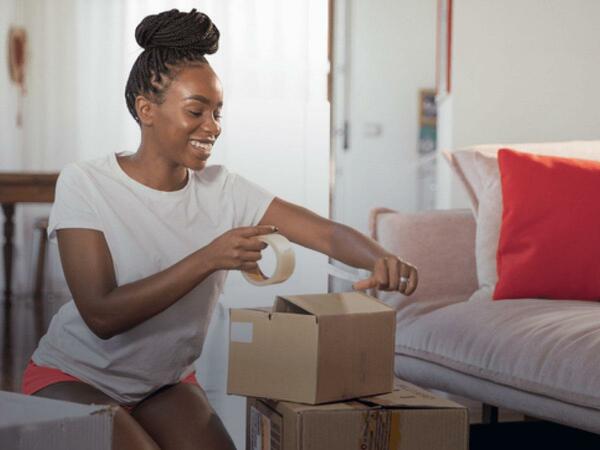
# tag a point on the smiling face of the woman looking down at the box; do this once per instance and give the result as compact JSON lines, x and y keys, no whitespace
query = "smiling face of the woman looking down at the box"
{"x":187,"y":123}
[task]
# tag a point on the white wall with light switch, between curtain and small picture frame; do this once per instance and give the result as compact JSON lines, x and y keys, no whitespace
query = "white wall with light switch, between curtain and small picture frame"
{"x":392,"y":57}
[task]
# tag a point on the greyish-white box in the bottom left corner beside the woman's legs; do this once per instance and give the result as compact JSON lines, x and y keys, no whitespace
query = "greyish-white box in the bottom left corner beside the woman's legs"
{"x":35,"y":423}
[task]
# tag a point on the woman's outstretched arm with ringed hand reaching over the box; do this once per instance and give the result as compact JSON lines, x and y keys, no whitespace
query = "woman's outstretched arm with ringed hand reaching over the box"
{"x":344,"y":244}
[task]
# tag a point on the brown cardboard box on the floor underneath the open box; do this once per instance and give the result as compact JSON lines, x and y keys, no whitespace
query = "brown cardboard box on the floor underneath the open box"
{"x":409,"y":418}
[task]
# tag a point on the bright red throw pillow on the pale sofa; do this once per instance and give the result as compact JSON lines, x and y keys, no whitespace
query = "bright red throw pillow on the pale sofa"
{"x":549,"y":243}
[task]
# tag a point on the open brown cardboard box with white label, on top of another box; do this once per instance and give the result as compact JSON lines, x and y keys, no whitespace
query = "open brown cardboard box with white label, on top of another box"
{"x":313,"y":348}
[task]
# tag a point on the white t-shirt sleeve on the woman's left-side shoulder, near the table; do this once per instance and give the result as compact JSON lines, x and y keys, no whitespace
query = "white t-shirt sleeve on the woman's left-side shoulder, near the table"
{"x":73,"y":206}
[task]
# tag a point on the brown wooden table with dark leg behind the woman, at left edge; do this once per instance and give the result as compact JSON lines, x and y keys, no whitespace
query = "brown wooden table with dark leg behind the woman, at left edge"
{"x":20,"y":187}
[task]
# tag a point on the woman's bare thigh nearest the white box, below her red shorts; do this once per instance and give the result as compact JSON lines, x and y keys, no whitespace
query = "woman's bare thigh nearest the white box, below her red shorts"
{"x":127,"y":433}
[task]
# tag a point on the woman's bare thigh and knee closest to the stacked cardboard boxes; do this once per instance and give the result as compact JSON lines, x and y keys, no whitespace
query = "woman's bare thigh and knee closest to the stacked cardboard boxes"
{"x":180,"y":417}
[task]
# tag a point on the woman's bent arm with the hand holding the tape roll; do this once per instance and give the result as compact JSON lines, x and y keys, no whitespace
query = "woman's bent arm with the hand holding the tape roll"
{"x":108,"y":309}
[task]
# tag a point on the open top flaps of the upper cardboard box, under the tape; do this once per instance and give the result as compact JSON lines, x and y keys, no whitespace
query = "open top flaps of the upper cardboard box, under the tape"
{"x":331,"y":304}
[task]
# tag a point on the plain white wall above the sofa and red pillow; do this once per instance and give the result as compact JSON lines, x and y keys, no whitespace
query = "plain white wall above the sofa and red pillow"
{"x":523,"y":71}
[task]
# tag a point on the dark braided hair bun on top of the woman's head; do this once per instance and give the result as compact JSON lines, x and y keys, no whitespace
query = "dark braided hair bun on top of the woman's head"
{"x":178,"y":30}
